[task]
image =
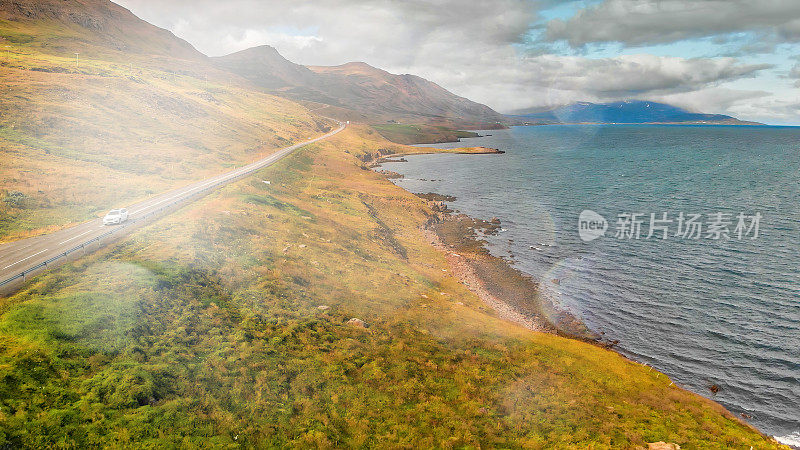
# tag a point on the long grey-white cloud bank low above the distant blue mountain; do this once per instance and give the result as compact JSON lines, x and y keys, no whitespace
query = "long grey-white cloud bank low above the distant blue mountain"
{"x":547,"y":80}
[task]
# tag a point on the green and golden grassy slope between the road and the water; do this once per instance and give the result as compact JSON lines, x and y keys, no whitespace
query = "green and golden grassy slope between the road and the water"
{"x":204,"y":330}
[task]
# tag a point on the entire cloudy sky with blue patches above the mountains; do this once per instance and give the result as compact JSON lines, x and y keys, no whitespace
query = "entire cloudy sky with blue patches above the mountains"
{"x":734,"y":57}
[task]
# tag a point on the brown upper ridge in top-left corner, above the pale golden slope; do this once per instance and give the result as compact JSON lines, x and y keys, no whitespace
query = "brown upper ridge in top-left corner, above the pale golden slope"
{"x":91,"y":27}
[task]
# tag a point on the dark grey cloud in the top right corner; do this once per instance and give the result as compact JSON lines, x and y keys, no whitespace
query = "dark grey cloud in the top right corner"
{"x":646,"y":22}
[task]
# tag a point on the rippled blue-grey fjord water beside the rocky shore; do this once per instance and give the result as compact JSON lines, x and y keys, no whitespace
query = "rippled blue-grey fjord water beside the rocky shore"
{"x":706,"y":312}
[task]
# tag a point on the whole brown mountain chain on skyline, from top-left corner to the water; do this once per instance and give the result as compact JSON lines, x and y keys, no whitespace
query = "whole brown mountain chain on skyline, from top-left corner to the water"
{"x":100,"y":29}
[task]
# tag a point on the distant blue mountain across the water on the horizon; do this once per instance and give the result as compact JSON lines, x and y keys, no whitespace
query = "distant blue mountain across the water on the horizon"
{"x":630,"y":111}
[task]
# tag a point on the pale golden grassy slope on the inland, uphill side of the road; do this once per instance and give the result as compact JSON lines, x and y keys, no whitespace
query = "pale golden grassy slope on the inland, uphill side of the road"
{"x":77,"y":140}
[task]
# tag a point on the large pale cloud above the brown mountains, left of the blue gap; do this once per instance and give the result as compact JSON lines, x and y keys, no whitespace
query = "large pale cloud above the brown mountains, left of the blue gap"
{"x":349,"y":28}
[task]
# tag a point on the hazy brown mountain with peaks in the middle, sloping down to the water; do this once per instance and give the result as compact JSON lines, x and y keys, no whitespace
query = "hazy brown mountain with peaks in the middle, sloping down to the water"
{"x":358,"y":90}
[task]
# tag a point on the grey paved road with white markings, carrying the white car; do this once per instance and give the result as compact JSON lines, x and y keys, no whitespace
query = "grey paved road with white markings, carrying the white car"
{"x":19,"y":256}
